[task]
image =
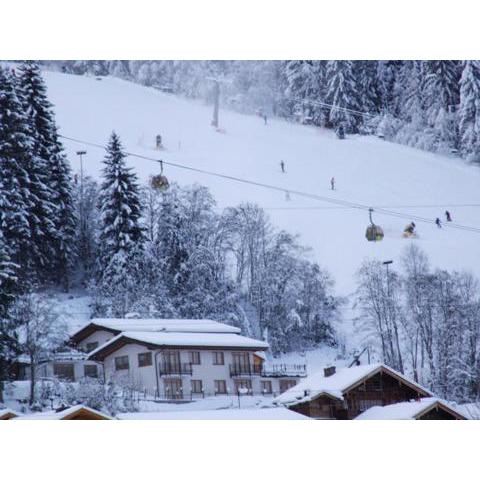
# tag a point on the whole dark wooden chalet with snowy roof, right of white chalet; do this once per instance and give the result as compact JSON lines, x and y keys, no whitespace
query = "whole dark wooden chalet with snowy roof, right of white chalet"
{"x":346,"y":393}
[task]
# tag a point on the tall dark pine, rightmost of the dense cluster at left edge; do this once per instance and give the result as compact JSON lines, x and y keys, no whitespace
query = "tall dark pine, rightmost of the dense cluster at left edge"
{"x":51,"y":178}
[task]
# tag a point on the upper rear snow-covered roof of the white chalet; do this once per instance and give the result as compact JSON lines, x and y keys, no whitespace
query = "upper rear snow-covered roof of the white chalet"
{"x":117,"y":325}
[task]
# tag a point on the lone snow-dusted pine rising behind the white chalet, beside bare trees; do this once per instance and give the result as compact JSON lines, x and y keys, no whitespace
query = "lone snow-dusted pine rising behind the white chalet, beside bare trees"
{"x":120,"y":209}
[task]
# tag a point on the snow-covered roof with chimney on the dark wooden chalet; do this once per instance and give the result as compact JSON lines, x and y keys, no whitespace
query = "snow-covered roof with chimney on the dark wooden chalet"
{"x":335,"y":385}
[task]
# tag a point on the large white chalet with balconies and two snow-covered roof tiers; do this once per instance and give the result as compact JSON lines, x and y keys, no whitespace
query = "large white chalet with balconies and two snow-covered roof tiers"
{"x":178,"y":359}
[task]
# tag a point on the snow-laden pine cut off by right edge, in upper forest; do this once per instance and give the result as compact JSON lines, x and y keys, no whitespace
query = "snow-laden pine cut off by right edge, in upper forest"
{"x":469,"y":112}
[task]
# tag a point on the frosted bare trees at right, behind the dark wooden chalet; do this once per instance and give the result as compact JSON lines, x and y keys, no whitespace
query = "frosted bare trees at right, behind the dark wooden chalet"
{"x":425,"y":322}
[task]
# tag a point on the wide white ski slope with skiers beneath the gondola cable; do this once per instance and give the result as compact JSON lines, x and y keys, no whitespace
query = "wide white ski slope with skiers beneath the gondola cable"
{"x":367,"y":171}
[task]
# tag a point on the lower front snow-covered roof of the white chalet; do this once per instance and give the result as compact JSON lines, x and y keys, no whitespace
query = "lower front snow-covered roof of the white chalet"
{"x":178,"y":339}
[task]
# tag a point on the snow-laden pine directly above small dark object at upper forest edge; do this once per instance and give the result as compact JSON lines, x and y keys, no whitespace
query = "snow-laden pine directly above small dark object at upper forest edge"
{"x":342,"y":93}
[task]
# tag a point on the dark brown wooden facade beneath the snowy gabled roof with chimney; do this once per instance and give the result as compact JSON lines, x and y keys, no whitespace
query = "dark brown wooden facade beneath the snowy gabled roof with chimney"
{"x":382,"y":388}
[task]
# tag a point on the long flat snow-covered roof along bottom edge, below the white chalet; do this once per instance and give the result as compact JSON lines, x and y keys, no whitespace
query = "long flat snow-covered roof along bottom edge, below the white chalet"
{"x":278,"y":413}
